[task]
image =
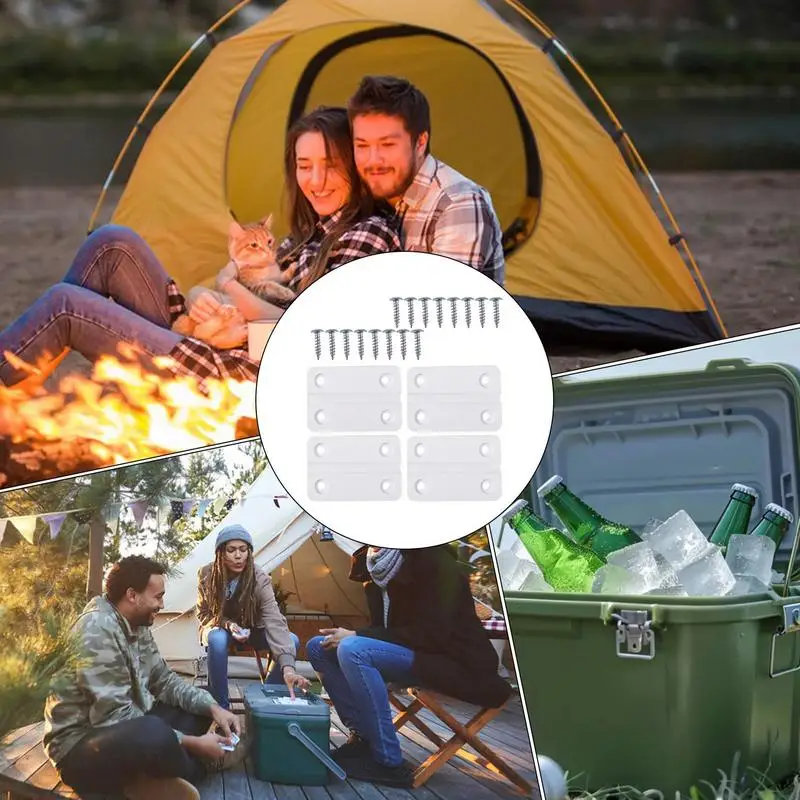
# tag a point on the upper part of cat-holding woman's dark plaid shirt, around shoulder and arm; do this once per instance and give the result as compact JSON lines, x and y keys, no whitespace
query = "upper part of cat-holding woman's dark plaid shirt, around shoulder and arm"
{"x":368,"y":237}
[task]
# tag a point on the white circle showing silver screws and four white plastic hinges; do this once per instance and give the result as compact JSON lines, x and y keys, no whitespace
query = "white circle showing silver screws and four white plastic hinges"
{"x":404,"y":400}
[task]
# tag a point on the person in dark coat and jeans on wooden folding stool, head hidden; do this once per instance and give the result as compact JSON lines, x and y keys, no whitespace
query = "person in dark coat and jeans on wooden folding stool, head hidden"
{"x":423,"y":632}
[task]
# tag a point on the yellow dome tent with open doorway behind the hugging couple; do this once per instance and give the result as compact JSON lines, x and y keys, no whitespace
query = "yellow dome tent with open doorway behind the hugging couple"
{"x":587,"y":256}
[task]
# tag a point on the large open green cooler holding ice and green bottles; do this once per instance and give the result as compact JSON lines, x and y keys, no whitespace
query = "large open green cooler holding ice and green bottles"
{"x":663,"y":693}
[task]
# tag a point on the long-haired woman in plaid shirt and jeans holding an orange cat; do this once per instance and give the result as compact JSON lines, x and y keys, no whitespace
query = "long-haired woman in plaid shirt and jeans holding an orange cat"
{"x":332,"y":218}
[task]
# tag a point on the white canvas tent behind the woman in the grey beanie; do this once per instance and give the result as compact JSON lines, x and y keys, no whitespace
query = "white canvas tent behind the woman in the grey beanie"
{"x":286,"y":546}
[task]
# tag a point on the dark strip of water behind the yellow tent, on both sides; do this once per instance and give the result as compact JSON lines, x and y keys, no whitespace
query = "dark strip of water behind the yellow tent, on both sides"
{"x":76,"y":147}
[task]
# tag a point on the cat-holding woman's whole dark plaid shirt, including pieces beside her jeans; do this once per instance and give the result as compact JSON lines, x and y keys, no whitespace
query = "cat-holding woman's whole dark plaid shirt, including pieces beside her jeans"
{"x":193,"y":357}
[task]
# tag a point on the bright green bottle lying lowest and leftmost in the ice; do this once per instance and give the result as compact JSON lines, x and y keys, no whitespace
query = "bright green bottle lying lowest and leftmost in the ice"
{"x":566,"y":565}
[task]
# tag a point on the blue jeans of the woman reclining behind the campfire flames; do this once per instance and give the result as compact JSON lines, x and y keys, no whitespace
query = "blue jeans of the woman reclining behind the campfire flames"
{"x":114,"y":263}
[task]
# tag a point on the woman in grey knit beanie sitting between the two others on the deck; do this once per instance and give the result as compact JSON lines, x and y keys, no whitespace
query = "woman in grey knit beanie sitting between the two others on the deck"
{"x":236,"y":605}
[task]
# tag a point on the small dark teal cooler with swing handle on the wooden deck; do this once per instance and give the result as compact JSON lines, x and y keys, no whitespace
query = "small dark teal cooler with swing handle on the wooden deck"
{"x":290,"y":740}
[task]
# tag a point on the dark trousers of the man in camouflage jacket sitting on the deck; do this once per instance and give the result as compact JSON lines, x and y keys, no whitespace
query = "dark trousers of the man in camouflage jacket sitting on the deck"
{"x":108,"y":758}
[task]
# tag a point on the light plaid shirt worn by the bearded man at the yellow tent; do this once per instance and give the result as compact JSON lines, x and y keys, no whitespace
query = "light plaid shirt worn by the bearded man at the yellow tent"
{"x":449,"y":215}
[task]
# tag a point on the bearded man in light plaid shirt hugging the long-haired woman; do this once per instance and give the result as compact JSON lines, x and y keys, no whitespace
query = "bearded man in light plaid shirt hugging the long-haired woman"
{"x":441,"y":211}
